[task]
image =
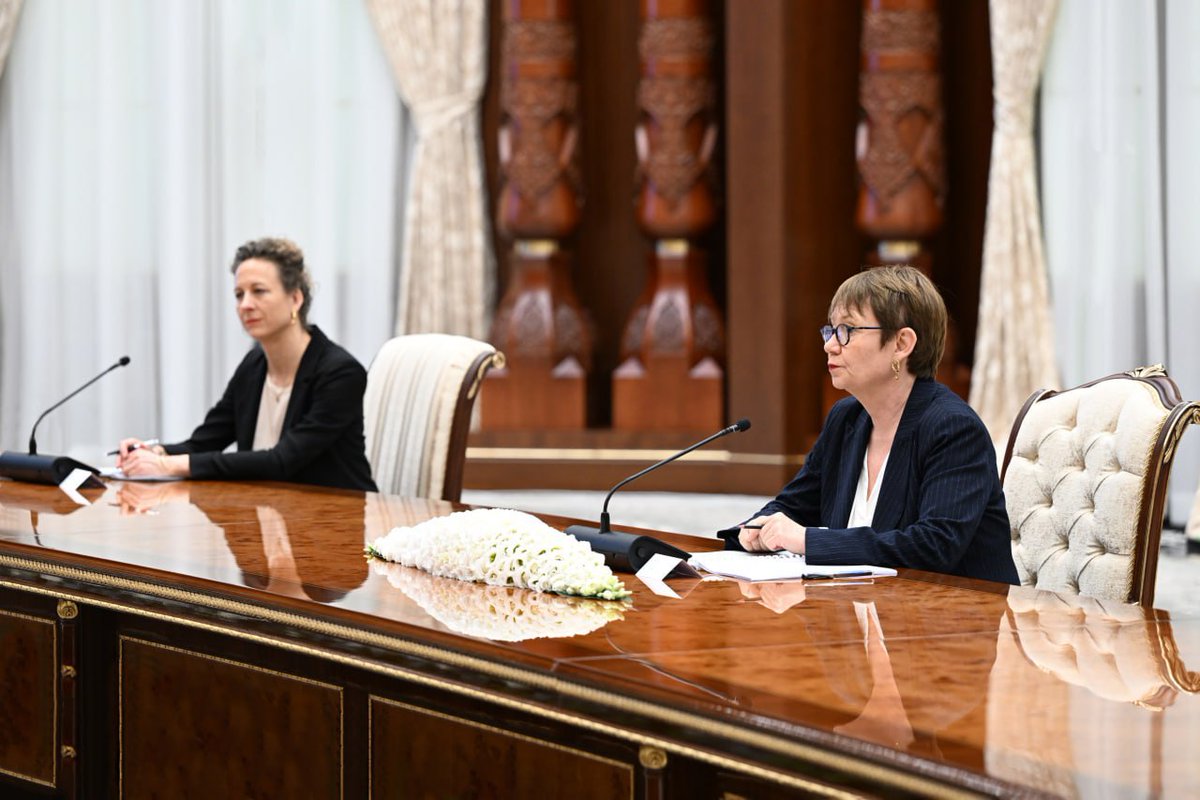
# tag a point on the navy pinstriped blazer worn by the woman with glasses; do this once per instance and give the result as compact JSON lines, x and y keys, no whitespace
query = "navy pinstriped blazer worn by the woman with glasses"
{"x":940,"y":507}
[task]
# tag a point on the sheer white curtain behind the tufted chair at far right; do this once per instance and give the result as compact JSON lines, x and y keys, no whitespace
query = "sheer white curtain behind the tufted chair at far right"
{"x":1120,"y":121}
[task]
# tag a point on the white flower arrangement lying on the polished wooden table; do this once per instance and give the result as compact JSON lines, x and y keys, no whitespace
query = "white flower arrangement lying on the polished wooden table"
{"x":505,"y":549}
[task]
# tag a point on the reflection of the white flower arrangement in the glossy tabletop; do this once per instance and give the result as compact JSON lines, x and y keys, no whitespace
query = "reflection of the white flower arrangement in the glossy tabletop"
{"x":500,"y":613}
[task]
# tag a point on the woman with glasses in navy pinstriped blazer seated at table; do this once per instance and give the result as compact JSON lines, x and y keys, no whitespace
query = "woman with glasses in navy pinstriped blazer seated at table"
{"x":904,"y":473}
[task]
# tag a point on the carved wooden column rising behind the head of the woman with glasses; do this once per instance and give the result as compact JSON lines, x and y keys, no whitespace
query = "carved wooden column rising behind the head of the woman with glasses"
{"x":902,"y":157}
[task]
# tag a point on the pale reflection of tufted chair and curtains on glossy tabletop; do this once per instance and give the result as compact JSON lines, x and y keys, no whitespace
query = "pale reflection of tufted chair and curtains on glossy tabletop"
{"x":1057,"y":654}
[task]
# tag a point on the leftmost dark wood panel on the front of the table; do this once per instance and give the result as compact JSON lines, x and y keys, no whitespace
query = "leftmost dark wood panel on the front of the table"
{"x":28,"y":713}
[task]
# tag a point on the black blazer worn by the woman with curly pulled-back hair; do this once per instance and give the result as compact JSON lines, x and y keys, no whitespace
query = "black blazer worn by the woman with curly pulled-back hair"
{"x":322,"y":438}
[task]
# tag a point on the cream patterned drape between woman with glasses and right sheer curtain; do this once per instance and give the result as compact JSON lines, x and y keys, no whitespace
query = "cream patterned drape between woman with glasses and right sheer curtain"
{"x":1015,"y":346}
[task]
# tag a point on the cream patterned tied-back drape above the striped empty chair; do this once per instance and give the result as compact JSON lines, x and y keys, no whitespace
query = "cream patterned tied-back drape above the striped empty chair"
{"x":439,"y":53}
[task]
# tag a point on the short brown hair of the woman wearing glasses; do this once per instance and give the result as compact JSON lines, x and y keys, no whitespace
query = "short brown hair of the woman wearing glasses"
{"x":901,"y":297}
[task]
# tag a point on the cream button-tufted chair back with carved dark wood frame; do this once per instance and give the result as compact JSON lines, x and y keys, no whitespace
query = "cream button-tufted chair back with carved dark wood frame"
{"x":1085,"y":483}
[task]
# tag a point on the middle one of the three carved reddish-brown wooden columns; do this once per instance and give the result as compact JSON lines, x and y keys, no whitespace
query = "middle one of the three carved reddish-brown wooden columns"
{"x":671,"y":372}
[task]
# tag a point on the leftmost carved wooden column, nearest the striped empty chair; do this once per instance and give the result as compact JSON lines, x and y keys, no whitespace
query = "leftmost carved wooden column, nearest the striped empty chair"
{"x":541,"y":326}
